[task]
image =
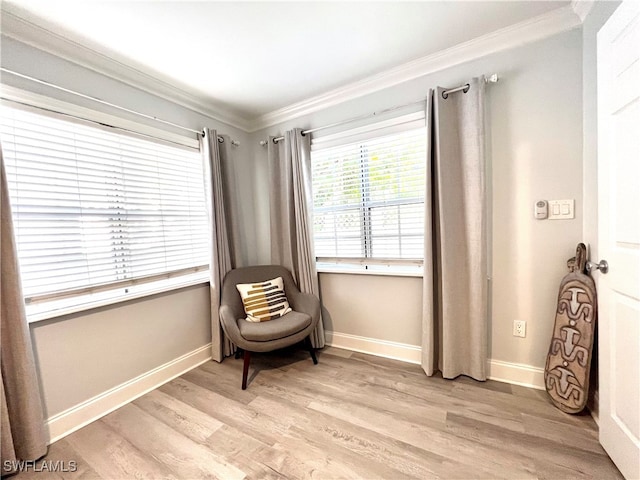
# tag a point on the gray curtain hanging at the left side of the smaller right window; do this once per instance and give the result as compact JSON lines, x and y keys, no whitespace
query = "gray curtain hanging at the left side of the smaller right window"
{"x":291,"y":214}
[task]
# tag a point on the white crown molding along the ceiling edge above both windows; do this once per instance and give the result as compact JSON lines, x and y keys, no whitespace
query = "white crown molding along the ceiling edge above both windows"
{"x":18,"y":25}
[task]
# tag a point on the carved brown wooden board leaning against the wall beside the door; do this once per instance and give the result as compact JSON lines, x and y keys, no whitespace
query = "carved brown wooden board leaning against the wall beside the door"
{"x":566,"y":374}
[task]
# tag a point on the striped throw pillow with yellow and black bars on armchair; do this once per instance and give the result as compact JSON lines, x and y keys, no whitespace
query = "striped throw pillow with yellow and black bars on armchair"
{"x":264,"y":301}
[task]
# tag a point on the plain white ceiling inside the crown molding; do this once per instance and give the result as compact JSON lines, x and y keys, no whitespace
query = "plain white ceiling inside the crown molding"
{"x":252,"y":58}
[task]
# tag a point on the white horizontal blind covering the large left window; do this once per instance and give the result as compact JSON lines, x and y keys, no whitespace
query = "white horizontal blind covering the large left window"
{"x":94,"y":209}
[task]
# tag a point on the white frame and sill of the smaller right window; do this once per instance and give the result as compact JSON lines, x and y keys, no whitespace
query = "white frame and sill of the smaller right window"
{"x":368,"y":265}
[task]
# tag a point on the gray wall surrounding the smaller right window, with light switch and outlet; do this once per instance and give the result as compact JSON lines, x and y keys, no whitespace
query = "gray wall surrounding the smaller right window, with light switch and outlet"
{"x":535,"y":122}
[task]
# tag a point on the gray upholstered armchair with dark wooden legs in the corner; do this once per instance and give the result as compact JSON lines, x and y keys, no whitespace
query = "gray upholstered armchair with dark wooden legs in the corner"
{"x":294,"y":327}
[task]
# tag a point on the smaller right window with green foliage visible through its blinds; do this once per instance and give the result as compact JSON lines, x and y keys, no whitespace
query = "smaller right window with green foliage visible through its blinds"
{"x":368,"y":197}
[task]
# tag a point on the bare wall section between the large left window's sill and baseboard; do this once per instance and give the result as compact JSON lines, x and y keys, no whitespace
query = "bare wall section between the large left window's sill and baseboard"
{"x":82,"y":355}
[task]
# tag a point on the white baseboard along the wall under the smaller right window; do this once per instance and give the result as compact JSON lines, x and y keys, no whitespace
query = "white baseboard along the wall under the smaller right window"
{"x":514,"y":373}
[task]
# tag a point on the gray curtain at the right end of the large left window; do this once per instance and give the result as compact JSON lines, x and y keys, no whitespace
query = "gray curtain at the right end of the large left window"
{"x":221,"y":260}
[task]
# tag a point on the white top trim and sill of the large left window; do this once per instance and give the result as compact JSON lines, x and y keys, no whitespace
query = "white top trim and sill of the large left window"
{"x":138,"y":288}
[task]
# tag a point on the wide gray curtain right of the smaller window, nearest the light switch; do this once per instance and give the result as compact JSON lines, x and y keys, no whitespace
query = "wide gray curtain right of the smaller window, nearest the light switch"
{"x":454,"y":332}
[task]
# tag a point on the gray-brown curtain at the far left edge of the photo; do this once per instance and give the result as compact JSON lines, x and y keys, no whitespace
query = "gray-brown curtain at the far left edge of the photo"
{"x":22,"y":431}
